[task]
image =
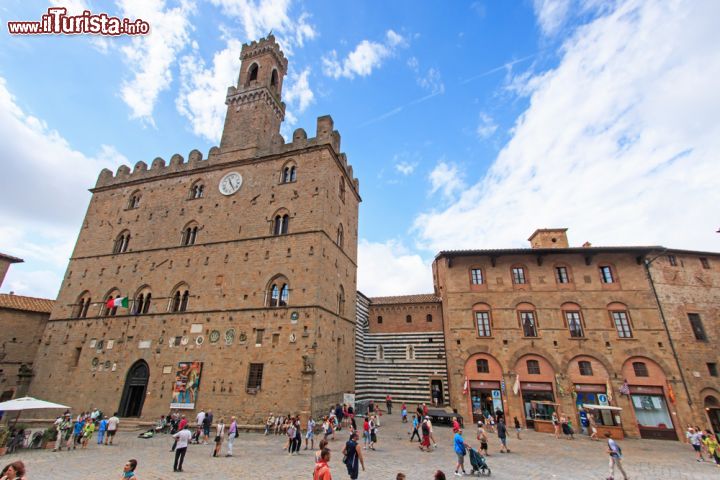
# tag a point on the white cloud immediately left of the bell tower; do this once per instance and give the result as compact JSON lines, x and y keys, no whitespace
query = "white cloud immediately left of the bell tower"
{"x":201,"y":98}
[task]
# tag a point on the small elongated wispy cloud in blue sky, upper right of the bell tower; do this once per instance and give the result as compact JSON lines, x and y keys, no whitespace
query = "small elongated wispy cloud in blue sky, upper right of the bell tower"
{"x":364,"y":58}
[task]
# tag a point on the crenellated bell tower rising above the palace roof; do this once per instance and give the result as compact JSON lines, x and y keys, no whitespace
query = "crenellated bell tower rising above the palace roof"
{"x":255,"y":109}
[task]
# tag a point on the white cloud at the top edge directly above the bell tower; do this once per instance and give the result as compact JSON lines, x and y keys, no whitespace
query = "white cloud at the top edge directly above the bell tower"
{"x":260,"y":17}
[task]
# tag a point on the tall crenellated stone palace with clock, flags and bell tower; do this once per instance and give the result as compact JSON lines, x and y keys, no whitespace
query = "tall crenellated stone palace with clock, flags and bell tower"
{"x":236,"y":268}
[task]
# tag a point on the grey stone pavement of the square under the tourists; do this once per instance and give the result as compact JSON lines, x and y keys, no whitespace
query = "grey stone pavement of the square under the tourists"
{"x":536,"y":456}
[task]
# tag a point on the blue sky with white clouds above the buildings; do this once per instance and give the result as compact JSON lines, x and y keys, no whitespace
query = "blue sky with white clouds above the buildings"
{"x":469,"y":124}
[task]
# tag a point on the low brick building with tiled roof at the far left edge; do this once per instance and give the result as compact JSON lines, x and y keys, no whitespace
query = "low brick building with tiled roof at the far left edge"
{"x":22,"y":320}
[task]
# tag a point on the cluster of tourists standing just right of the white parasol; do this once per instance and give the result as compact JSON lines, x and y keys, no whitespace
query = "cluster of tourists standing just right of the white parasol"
{"x":79,"y":431}
